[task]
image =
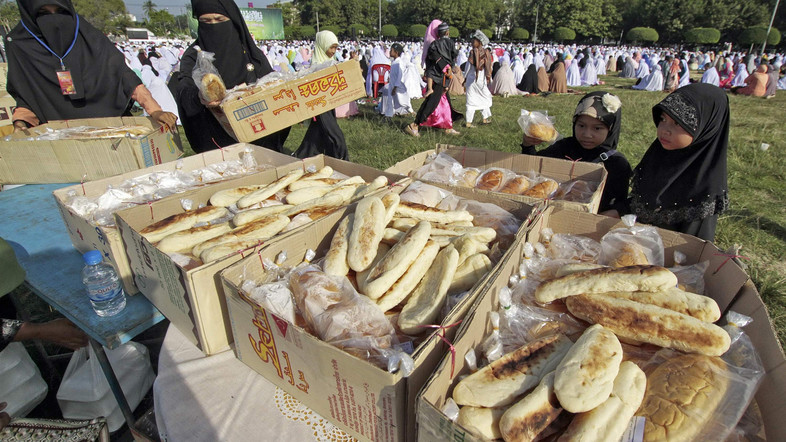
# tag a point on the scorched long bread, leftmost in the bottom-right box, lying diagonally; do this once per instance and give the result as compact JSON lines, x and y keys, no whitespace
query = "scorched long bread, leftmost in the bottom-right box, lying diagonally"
{"x":504,"y":380}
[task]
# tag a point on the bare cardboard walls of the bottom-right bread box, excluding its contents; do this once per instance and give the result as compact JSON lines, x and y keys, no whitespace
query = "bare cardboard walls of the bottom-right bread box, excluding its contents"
{"x":730,"y":287}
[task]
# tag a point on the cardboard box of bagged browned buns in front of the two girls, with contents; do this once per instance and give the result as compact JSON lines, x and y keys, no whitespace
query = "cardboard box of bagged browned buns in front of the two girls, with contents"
{"x":530,"y":179}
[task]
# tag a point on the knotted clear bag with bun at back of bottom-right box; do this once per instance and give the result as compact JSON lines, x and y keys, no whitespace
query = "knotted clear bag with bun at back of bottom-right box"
{"x":634,"y":244}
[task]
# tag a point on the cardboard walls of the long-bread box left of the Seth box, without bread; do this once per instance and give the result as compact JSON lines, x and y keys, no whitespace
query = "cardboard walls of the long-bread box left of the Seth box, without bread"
{"x":193,"y":300}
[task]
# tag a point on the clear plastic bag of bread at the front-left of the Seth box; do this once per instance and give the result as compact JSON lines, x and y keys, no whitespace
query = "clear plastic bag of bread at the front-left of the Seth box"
{"x":342,"y":317}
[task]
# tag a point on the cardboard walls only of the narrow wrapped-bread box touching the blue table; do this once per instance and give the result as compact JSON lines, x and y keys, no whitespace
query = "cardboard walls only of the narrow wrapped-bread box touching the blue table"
{"x":86,"y":236}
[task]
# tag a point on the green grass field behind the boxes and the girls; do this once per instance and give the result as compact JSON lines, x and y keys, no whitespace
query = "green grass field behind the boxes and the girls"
{"x":757,"y":178}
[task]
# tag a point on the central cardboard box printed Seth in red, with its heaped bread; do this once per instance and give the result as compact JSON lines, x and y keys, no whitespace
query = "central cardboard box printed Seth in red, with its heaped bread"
{"x":353,"y":329}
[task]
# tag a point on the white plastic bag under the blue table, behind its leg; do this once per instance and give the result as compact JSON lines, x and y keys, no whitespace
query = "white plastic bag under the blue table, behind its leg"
{"x":84,"y":392}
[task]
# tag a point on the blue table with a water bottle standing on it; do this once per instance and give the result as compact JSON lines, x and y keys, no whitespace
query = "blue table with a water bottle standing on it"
{"x":32,"y":225}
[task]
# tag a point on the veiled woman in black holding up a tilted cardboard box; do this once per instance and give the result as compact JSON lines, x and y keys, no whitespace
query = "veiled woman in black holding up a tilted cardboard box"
{"x":223,"y":32}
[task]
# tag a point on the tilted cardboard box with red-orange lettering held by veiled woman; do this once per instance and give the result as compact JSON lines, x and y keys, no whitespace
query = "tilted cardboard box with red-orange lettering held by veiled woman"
{"x":281,"y":106}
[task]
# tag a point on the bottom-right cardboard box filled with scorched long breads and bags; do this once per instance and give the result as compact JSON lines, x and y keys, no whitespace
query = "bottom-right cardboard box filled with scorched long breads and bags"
{"x":573,"y":342}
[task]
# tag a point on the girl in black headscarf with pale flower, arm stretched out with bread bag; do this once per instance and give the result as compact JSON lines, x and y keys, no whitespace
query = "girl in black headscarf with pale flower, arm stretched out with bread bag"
{"x":596,"y":132}
